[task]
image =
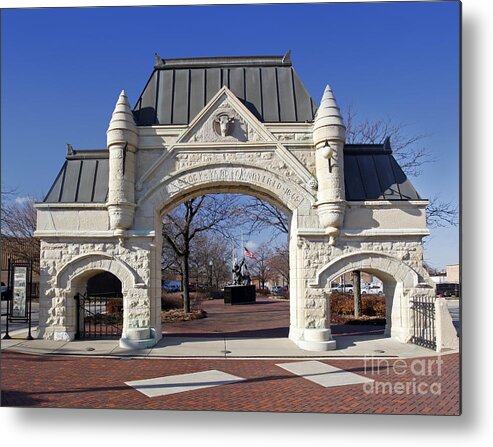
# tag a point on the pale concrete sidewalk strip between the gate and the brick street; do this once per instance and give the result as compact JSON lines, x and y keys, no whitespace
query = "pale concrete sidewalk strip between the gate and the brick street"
{"x":219,"y":347}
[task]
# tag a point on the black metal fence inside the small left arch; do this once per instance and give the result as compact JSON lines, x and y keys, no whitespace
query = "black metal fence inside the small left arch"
{"x":99,"y":316}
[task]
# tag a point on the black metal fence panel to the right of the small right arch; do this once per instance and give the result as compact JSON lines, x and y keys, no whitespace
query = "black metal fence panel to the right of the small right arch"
{"x":424,"y":321}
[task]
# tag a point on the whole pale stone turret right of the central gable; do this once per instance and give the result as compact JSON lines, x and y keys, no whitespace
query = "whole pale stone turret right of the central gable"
{"x":329,"y":134}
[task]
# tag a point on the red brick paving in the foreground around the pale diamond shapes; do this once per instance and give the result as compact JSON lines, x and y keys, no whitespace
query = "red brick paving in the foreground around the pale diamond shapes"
{"x":89,"y":382}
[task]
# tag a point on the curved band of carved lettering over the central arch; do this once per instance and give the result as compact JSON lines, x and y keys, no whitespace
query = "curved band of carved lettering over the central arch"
{"x":285,"y":192}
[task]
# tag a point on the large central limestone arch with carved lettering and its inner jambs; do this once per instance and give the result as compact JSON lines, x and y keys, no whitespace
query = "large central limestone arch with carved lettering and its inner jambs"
{"x":287,"y":194}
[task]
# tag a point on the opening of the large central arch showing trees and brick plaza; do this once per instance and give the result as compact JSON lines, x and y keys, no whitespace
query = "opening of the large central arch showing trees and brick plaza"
{"x":204,"y":234}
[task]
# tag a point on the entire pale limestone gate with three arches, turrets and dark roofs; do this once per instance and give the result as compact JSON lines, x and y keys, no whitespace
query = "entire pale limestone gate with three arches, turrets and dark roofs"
{"x":241,"y":125}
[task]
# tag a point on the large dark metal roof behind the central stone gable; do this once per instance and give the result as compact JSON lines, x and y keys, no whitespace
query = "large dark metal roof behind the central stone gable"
{"x":268,"y":86}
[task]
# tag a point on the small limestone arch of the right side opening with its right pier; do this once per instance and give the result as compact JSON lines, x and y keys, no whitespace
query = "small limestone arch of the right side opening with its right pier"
{"x":397,"y":278}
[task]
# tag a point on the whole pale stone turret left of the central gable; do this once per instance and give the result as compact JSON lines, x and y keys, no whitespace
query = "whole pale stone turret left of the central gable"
{"x":122,"y":141}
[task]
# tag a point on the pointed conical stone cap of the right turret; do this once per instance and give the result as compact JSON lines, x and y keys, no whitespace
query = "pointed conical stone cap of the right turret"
{"x":328,"y":120}
